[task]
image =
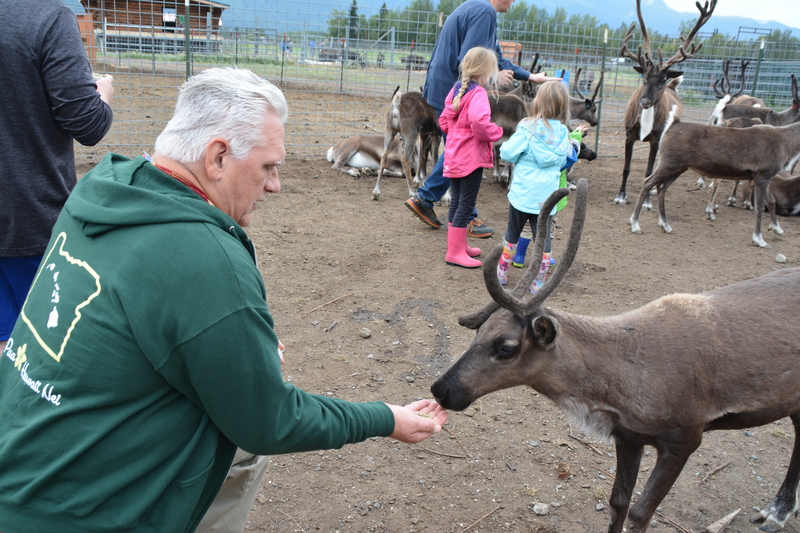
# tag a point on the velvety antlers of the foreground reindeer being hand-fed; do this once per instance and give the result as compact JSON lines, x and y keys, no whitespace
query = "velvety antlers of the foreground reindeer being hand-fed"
{"x":515,"y":300}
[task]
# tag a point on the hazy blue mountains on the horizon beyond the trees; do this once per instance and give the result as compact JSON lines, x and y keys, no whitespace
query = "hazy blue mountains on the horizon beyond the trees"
{"x":291,"y":15}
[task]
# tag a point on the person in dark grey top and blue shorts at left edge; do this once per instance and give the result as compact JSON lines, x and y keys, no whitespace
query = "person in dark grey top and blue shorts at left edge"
{"x":48,"y":97}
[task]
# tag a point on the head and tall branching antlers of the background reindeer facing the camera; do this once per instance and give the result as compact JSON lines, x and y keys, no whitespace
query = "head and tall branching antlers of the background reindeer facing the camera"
{"x":656,"y":70}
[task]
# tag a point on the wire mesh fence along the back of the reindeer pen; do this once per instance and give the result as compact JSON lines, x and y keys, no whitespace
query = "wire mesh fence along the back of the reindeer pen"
{"x":339,"y":64}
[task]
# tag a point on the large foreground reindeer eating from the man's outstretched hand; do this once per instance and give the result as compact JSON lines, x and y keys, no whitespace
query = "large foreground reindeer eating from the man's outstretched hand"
{"x":659,"y":376}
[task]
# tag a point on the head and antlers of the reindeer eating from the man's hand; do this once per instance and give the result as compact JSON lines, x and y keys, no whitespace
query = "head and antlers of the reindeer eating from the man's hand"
{"x":513,"y":331}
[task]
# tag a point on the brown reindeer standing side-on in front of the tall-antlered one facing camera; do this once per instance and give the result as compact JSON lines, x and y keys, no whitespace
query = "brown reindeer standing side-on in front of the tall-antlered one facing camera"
{"x":756,"y":154}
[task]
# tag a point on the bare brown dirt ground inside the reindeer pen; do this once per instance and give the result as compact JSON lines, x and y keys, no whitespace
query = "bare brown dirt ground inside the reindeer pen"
{"x":368,"y":310}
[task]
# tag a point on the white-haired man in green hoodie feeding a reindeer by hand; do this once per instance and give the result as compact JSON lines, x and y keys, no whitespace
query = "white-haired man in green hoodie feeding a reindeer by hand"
{"x":145,"y":354}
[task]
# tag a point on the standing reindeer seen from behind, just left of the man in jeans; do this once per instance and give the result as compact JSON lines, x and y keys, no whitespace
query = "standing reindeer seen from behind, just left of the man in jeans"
{"x":415,"y":120}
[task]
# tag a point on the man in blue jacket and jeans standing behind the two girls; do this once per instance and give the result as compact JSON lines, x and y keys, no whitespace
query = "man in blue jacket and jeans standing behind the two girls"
{"x":473,"y":23}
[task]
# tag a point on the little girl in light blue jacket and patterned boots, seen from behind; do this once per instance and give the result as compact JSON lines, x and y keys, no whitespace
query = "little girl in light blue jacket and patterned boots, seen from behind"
{"x":539,"y":150}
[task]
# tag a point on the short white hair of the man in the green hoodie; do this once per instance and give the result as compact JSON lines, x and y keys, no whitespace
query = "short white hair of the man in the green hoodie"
{"x":220,"y":102}
